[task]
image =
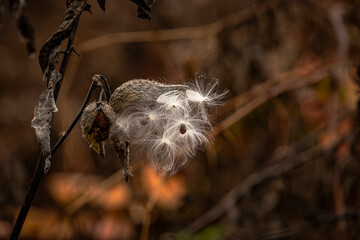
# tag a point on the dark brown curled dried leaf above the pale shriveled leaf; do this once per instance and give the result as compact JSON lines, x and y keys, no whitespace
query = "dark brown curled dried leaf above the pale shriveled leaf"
{"x":52,"y":45}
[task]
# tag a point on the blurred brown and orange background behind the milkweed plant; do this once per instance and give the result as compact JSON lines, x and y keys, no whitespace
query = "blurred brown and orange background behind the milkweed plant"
{"x":284,"y":160}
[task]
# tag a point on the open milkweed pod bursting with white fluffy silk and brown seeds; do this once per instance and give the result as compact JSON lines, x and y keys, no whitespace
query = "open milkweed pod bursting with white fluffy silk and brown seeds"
{"x":167,"y":123}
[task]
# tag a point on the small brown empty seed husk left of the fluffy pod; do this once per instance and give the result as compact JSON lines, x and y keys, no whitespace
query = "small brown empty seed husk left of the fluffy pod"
{"x":95,"y":124}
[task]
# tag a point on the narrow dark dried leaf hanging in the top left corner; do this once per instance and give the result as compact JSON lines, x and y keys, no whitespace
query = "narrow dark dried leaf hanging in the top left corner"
{"x":18,"y":10}
